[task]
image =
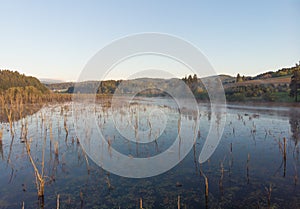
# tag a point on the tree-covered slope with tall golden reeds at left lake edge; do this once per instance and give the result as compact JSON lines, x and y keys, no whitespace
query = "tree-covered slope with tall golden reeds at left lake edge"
{"x":21,"y":95}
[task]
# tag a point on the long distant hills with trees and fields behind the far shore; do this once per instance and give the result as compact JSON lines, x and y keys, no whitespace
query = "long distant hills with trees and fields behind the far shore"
{"x":269,"y":86}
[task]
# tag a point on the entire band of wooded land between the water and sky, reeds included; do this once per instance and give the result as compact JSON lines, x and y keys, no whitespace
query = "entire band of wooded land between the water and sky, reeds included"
{"x":282,"y":85}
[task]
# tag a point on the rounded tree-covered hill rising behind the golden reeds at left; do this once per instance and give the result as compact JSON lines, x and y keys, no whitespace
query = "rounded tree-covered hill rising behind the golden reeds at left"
{"x":9,"y":79}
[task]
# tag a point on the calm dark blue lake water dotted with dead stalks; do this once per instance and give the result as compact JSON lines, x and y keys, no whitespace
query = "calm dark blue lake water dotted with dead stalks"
{"x":247,"y":170}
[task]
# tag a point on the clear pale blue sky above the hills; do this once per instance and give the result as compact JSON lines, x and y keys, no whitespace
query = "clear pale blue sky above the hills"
{"x":56,"y":39}
